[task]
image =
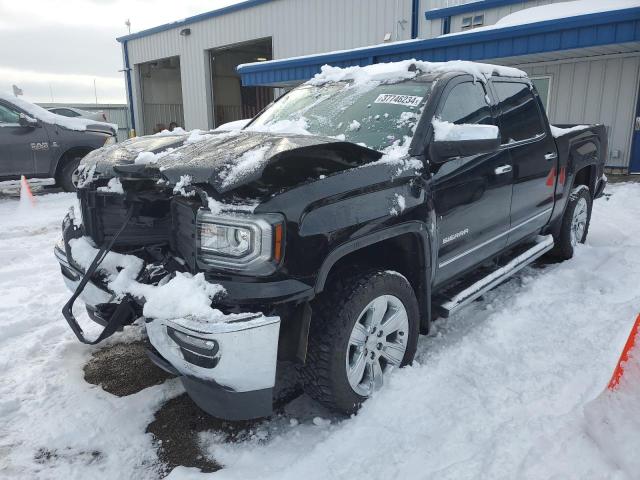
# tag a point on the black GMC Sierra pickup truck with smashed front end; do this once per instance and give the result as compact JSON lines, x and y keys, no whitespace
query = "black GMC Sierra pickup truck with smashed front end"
{"x":396,"y":197}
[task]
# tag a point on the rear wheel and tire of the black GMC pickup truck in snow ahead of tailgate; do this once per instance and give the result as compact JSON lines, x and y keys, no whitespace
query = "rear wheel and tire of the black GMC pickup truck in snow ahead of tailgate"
{"x":575,"y":222}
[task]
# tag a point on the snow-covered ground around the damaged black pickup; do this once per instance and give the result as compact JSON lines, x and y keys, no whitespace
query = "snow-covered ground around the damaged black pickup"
{"x":498,"y":391}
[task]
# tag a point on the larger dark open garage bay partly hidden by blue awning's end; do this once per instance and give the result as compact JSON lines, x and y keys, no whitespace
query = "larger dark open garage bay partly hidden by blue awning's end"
{"x":232,"y":101}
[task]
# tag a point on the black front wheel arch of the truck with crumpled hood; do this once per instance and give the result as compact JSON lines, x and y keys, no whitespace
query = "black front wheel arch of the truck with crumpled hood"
{"x":405,"y":248}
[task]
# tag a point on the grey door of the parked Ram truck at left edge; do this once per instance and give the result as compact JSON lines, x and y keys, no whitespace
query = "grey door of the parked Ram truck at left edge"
{"x":22,"y":149}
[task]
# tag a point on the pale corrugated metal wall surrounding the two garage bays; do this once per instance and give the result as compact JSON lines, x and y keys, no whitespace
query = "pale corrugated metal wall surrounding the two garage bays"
{"x":297,"y":27}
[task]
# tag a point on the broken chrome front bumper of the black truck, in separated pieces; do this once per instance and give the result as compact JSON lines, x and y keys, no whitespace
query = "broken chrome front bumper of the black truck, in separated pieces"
{"x":227,"y":368}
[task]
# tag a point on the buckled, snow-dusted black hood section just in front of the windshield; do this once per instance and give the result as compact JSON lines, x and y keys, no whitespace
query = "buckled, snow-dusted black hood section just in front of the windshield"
{"x":228,"y":160}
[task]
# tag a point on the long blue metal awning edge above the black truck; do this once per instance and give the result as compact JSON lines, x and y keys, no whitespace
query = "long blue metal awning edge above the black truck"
{"x":591,"y":30}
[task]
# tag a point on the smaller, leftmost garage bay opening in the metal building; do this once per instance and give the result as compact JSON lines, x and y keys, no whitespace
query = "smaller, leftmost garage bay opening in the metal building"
{"x":161,"y":94}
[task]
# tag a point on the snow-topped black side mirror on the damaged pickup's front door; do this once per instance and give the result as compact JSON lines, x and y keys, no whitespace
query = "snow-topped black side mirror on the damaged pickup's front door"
{"x":452,"y":140}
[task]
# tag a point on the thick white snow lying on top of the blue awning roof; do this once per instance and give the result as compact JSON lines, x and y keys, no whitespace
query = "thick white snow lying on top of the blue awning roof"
{"x":553,"y":12}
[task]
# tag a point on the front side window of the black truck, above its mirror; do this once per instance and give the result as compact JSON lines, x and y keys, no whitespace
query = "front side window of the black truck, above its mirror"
{"x":467,"y":103}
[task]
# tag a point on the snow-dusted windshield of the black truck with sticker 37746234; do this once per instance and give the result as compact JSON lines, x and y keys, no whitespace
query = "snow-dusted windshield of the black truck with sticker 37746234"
{"x":376,"y":115}
